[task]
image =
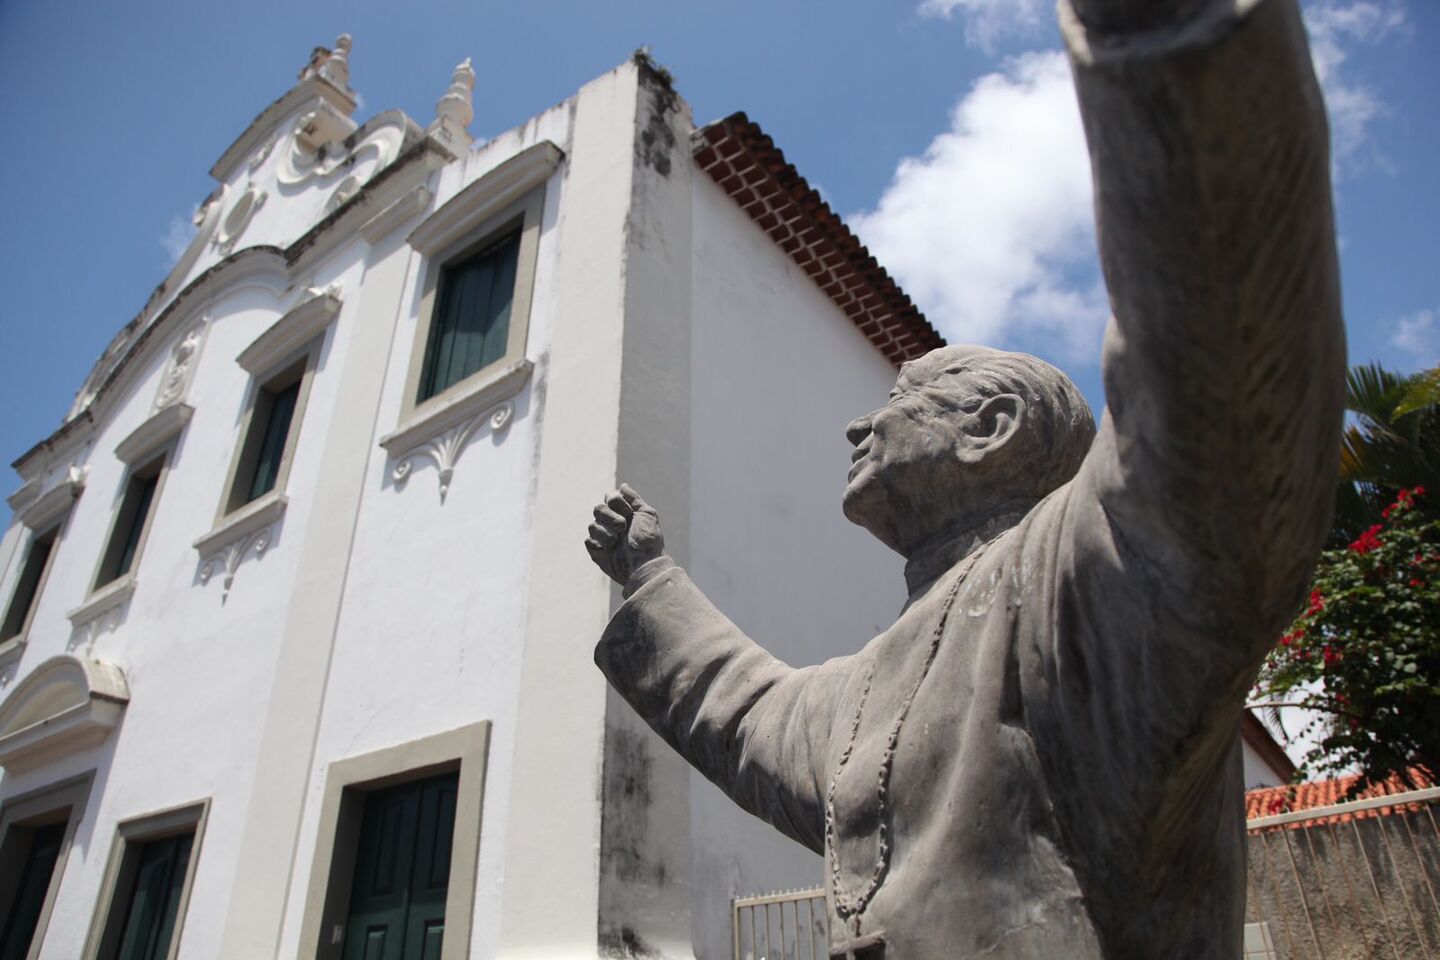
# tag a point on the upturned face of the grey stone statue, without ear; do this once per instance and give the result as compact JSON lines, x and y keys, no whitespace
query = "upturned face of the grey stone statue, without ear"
{"x":908,"y":458}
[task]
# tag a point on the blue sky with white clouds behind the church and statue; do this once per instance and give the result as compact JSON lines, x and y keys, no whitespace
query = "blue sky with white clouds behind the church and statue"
{"x":944,"y":130}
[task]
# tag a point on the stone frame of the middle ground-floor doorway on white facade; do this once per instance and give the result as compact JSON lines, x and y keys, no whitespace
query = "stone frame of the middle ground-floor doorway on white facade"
{"x":130,"y":836}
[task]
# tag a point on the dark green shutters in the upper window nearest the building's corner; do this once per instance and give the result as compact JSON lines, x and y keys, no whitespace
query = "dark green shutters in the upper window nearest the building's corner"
{"x":472,"y":316}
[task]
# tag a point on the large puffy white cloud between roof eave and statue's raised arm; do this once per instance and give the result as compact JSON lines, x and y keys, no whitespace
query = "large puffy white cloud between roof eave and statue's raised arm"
{"x":991,"y":231}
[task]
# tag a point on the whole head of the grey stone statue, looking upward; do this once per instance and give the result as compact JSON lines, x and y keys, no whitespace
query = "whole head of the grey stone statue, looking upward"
{"x":968,"y":433}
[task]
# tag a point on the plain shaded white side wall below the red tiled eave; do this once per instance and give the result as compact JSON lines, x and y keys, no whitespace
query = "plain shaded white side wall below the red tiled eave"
{"x":778,"y":372}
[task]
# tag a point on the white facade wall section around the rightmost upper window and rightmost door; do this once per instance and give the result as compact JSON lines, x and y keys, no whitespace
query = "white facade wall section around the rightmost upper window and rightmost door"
{"x":433,"y":620}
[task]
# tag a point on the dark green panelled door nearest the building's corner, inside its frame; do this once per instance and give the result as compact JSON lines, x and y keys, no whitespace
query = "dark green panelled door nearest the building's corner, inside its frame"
{"x":402,"y":873}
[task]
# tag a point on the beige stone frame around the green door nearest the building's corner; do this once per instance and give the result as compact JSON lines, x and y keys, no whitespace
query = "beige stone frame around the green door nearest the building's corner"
{"x":348,"y":782}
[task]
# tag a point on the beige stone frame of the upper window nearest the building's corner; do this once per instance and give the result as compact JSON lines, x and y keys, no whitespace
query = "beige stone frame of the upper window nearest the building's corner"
{"x":523,"y":214}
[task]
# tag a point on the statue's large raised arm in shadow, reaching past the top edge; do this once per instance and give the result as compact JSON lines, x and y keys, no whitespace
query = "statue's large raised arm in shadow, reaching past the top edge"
{"x":1225,"y":361}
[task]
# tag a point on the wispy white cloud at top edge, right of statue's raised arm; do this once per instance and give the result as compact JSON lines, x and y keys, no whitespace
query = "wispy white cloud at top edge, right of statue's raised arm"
{"x":1337,"y":27}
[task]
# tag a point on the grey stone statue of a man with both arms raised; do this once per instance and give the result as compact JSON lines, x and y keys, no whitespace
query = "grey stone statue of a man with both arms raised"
{"x":1040,"y":758}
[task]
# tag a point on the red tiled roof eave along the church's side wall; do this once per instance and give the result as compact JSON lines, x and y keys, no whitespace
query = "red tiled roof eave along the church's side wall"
{"x":752,"y":171}
